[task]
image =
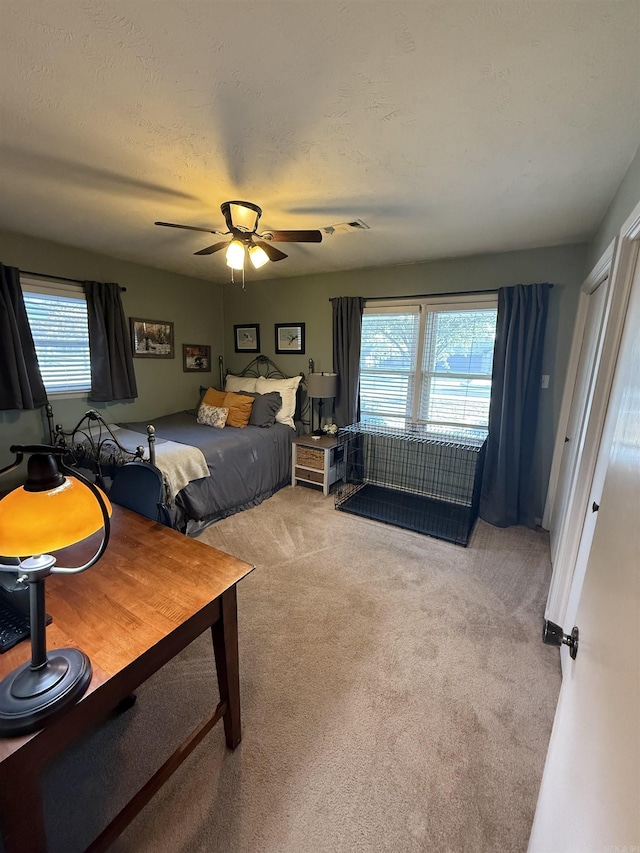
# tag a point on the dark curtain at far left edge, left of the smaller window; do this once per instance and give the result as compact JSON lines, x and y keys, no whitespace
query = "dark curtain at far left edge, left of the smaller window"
{"x":21,"y":385}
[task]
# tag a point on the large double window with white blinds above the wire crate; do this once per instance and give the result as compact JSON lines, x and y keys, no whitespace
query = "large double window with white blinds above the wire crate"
{"x":428,"y":361}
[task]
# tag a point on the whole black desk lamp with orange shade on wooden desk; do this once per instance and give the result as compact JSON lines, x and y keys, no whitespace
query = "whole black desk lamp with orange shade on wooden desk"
{"x":51,"y":511}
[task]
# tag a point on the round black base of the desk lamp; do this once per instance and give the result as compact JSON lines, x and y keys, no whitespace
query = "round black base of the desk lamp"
{"x":29,"y":697}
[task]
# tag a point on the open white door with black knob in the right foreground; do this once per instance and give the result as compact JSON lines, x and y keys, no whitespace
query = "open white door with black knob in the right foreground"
{"x":590,"y":794}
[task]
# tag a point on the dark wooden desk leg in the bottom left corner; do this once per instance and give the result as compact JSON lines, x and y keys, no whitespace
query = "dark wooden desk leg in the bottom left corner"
{"x":21,"y":815}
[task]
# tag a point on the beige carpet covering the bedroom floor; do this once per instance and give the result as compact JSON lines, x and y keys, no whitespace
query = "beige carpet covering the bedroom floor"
{"x":396,"y":697}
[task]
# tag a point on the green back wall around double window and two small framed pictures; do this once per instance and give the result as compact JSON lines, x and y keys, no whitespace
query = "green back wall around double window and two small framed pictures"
{"x":305,"y":299}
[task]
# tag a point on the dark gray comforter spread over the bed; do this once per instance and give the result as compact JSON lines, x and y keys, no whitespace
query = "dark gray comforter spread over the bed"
{"x":247,"y":465}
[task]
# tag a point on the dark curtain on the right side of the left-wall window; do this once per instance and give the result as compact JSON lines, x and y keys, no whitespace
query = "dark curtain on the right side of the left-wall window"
{"x":112,"y":374}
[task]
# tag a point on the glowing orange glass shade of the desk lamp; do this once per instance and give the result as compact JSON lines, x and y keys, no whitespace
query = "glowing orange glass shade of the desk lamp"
{"x":34,"y":523}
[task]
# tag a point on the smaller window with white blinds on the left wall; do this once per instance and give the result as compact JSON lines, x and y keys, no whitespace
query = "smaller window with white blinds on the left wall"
{"x":57,"y":315}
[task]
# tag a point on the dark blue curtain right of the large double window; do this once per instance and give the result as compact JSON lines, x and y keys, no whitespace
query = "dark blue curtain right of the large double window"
{"x":507,"y":496}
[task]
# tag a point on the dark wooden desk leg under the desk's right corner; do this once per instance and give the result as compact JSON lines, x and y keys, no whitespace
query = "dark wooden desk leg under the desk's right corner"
{"x":225,"y":647}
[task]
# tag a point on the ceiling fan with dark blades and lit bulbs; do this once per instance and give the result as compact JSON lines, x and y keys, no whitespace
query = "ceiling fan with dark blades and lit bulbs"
{"x":242,"y":219}
